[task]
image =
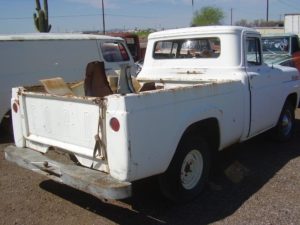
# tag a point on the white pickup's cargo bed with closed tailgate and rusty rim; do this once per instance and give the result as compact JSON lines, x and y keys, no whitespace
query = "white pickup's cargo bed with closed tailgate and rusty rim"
{"x":74,"y":123}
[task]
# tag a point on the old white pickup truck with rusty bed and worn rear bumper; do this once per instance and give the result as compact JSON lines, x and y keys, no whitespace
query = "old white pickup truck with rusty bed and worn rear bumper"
{"x":209,"y":89}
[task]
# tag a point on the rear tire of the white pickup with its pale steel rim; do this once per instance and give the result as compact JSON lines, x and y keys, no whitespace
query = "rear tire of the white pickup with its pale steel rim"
{"x":188,"y":171}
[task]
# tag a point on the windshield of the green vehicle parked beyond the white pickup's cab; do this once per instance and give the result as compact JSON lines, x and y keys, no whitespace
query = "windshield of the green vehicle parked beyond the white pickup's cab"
{"x":277,"y":45}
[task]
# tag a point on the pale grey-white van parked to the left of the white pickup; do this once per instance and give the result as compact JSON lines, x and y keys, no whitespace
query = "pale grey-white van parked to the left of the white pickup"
{"x":26,"y":58}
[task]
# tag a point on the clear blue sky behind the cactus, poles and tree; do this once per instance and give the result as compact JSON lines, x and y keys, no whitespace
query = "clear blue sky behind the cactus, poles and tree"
{"x":16,"y":16}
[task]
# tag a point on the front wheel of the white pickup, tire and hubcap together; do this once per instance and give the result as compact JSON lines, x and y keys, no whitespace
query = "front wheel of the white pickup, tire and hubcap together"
{"x":284,"y":129}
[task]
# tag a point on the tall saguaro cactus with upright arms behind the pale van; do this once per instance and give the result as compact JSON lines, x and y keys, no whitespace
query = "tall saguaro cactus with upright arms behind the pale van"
{"x":41,"y":17}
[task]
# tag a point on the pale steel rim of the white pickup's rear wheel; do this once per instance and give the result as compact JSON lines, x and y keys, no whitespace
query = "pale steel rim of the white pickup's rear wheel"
{"x":191,"y":169}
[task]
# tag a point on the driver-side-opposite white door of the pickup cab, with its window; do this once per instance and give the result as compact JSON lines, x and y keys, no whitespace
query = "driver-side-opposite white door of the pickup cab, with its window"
{"x":264,"y":85}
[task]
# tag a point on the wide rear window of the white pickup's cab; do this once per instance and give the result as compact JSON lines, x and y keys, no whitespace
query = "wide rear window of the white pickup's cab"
{"x":188,"y":48}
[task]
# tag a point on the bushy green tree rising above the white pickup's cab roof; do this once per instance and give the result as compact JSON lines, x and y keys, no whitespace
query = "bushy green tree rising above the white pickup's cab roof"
{"x":208,"y":16}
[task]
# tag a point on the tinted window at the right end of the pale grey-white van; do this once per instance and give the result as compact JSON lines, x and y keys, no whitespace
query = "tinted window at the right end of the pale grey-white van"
{"x":114,"y":52}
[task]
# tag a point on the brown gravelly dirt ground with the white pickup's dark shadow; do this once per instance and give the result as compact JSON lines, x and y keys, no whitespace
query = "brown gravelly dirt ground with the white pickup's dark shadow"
{"x":257,"y":182}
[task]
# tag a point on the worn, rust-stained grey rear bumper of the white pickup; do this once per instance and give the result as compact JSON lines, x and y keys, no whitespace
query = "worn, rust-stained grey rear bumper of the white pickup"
{"x":90,"y":181}
